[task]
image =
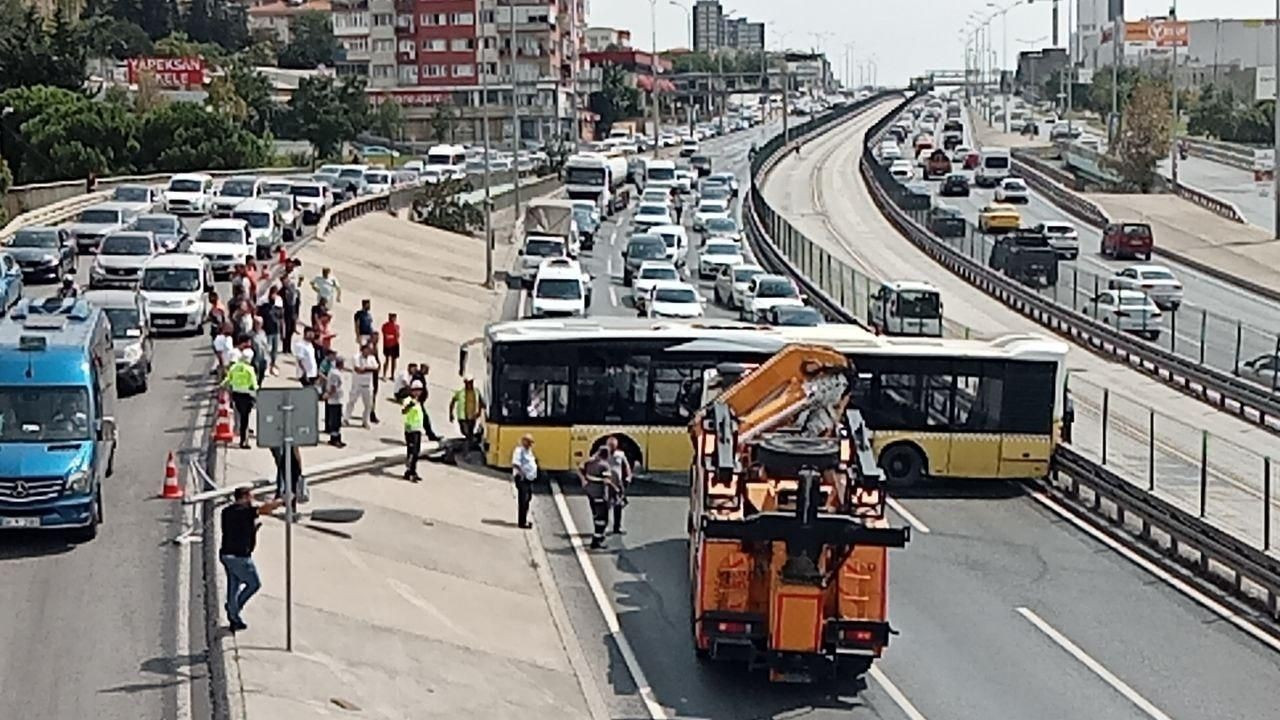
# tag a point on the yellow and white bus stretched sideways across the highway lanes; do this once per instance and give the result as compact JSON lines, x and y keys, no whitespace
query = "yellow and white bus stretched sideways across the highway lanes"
{"x":938,"y":408}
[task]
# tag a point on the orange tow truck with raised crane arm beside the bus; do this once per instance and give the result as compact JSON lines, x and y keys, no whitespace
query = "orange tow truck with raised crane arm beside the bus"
{"x":789,"y":543}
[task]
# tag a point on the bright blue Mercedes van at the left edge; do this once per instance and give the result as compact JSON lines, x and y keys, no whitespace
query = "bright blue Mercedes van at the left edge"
{"x":58,"y":394}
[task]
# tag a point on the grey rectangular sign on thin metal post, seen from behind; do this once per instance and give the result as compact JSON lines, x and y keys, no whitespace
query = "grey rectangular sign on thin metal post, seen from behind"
{"x":289,"y":418}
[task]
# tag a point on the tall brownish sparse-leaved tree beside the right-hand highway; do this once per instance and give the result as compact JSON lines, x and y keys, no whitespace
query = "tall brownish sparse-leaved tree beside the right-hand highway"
{"x":1145,"y":135}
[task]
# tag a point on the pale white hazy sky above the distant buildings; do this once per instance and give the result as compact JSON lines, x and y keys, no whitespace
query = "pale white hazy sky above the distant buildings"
{"x":897,"y":38}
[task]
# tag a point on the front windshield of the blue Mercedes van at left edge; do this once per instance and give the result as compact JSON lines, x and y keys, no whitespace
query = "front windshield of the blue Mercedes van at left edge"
{"x":44,"y":414}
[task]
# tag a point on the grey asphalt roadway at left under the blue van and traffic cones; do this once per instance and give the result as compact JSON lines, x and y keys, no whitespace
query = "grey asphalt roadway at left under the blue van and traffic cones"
{"x":93,"y":631}
